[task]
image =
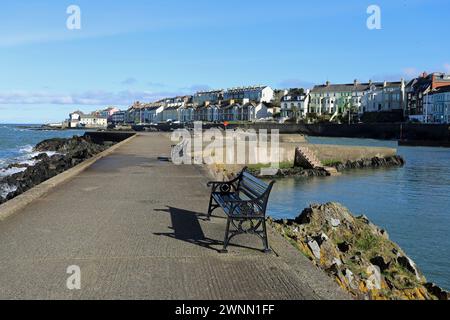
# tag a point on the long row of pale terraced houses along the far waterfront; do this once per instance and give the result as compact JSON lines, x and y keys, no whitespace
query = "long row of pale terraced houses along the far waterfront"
{"x":425,"y":99}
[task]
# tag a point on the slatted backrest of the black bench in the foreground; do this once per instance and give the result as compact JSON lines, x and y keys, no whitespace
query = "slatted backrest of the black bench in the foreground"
{"x":254,"y":188}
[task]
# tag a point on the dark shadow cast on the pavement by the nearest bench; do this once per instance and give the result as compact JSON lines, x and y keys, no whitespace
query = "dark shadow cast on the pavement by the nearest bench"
{"x":186,"y":227}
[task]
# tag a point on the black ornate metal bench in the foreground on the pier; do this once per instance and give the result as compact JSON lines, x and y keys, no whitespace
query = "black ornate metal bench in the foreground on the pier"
{"x":244,"y":201}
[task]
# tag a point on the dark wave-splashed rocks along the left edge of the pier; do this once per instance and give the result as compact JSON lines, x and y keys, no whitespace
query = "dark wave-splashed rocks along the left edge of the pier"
{"x":54,"y":156}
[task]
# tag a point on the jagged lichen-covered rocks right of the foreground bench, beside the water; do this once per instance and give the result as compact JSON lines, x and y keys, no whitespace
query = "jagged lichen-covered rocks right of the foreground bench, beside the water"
{"x":357,"y":254}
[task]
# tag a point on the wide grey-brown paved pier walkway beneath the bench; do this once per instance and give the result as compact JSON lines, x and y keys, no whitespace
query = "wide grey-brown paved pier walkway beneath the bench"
{"x":133,"y":224}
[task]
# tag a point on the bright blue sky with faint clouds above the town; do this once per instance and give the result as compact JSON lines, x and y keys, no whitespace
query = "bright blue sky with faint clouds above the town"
{"x":144,"y":50}
